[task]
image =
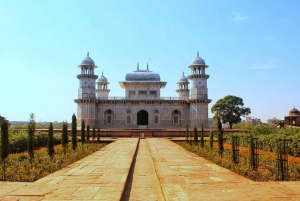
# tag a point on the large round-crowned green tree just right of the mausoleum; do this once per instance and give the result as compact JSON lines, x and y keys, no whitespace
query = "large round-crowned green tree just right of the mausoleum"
{"x":230,"y":109}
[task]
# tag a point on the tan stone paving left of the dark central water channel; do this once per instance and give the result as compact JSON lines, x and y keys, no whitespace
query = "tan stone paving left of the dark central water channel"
{"x":99,"y":176}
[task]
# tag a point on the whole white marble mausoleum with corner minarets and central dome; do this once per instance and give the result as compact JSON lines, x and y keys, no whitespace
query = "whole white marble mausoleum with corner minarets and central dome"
{"x":142,"y":106}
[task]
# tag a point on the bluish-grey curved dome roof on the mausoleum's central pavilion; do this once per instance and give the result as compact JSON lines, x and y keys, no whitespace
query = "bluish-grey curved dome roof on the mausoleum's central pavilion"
{"x":142,"y":75}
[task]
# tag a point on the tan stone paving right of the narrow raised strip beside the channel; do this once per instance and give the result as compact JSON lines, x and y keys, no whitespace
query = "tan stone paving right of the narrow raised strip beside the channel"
{"x":185,"y":176}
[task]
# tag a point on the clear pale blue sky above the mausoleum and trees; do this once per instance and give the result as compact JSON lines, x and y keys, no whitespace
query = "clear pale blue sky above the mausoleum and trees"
{"x":251,"y":47}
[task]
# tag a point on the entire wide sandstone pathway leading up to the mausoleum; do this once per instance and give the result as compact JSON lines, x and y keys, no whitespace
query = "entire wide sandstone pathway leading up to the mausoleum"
{"x":161,"y":170}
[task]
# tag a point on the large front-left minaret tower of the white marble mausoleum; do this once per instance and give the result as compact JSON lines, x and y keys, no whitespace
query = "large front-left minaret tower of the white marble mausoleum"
{"x":86,"y":102}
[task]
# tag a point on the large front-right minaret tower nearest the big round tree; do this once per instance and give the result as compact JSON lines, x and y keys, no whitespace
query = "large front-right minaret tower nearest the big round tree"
{"x":198,"y":96}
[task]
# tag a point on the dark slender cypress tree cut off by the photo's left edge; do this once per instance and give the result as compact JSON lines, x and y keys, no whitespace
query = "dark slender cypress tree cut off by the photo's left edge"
{"x":4,"y":143}
